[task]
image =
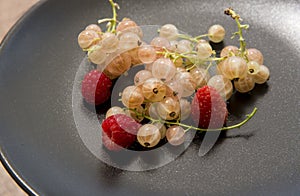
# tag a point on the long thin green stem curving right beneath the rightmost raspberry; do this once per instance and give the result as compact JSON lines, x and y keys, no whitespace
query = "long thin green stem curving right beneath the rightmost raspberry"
{"x":189,"y":127}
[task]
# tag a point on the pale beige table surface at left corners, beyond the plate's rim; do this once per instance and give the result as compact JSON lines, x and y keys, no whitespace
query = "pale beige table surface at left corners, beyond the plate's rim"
{"x":10,"y":12}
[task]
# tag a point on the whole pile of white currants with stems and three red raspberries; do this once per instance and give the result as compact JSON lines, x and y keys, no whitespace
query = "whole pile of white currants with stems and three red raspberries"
{"x":175,"y":85}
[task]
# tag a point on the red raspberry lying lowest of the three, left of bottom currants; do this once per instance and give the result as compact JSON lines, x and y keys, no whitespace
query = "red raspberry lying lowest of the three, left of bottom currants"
{"x":119,"y":131}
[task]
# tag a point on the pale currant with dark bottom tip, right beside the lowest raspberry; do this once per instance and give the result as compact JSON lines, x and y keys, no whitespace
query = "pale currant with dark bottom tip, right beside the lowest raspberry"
{"x":148,"y":135}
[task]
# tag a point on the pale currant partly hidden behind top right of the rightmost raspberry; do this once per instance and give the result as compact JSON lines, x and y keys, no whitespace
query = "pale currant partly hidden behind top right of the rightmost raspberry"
{"x":222,"y":85}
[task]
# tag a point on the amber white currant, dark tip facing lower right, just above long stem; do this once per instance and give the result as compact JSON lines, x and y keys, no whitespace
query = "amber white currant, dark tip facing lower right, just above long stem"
{"x":169,"y":108}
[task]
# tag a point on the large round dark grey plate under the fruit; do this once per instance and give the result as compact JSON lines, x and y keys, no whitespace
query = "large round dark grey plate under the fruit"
{"x":41,"y":147}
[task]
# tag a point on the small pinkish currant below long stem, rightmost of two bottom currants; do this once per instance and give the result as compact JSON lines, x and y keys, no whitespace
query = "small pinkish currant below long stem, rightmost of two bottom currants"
{"x":175,"y":135}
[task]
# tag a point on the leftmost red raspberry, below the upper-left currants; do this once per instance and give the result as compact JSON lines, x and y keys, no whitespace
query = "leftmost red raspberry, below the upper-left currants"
{"x":96,"y":87}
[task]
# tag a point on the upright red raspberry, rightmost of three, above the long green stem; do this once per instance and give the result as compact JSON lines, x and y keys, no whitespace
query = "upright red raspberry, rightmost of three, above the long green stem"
{"x":208,"y":108}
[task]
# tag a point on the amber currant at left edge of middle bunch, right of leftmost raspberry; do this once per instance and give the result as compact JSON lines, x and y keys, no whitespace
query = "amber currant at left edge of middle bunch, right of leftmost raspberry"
{"x":132,"y":97}
